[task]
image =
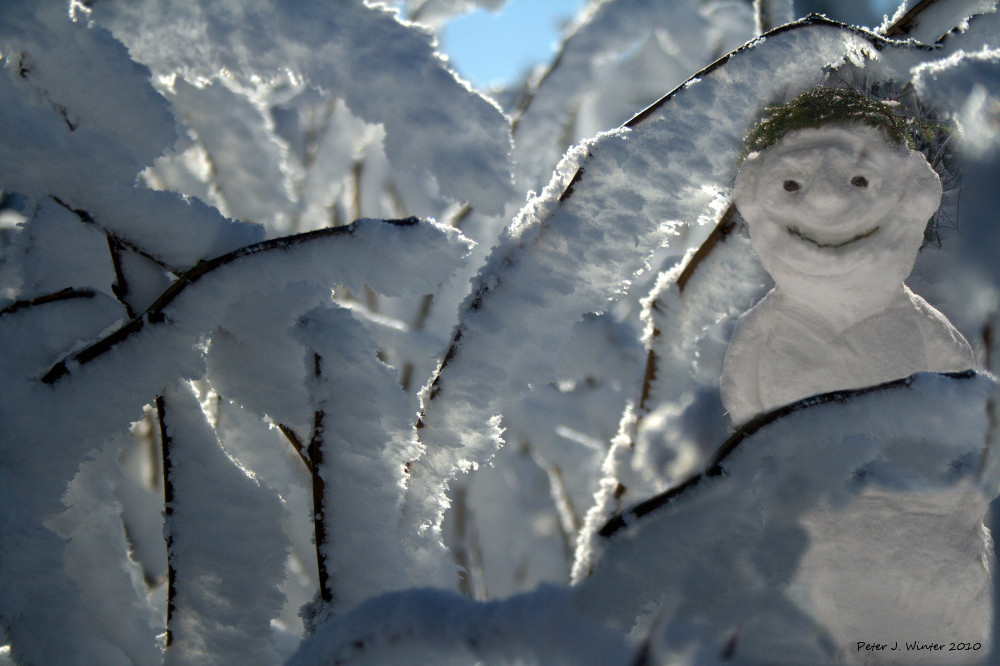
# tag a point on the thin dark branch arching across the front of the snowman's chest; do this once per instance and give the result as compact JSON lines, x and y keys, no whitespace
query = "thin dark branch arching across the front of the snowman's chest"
{"x":714,"y":467}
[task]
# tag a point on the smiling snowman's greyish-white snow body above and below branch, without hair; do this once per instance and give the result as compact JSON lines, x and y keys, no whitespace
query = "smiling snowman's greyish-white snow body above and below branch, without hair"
{"x":837,"y":215}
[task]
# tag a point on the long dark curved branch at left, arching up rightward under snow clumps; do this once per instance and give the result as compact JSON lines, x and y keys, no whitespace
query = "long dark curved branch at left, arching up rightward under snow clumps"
{"x":154,"y":314}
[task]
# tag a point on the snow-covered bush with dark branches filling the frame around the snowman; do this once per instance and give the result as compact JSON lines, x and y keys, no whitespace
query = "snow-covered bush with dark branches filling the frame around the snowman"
{"x":309,"y":349}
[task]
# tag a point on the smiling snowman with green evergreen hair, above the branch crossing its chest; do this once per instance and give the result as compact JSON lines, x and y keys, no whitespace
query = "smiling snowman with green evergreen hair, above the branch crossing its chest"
{"x":836,"y":203}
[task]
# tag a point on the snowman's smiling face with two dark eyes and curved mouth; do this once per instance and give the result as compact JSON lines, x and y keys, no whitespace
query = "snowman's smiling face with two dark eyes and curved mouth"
{"x":837,"y":202}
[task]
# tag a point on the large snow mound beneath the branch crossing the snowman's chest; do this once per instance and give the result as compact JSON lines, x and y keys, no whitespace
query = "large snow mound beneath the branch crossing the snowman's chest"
{"x":836,"y":524}
